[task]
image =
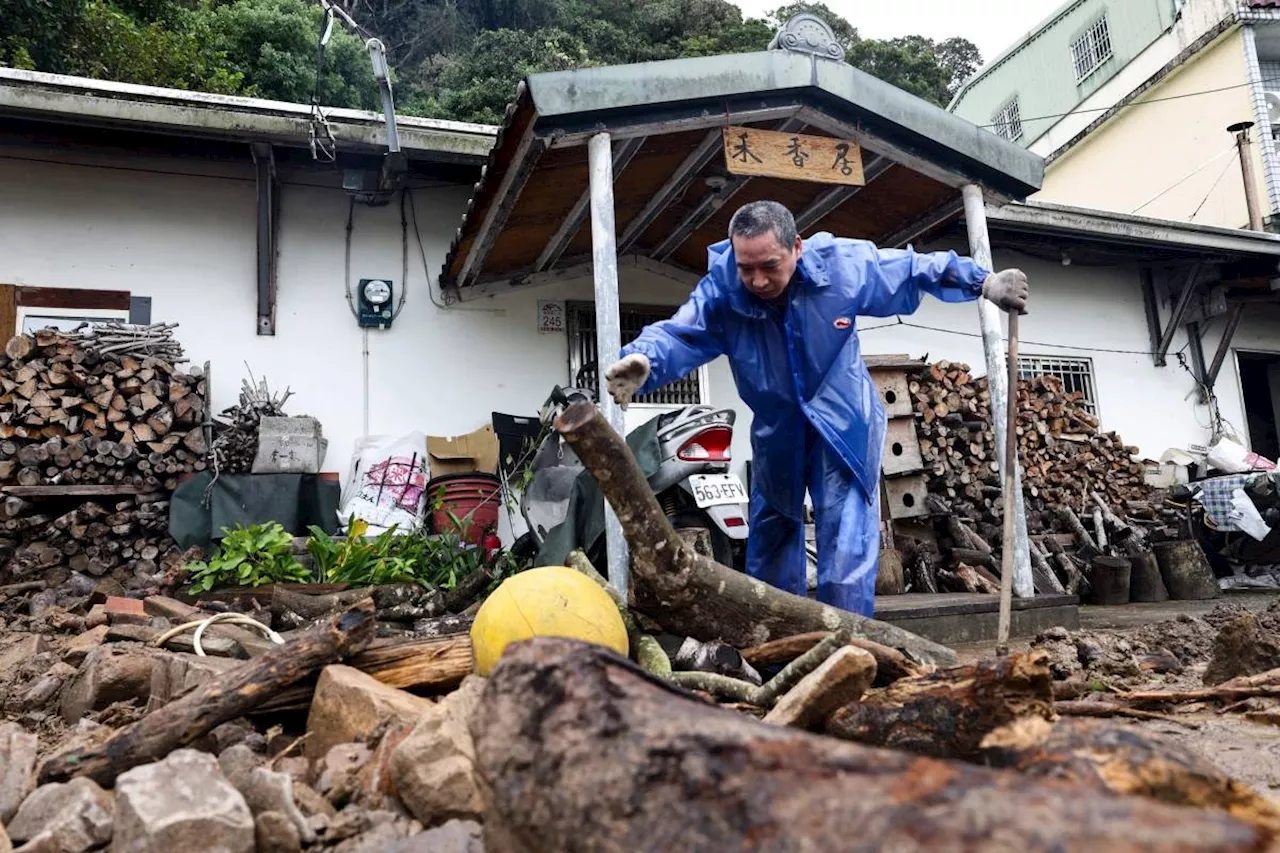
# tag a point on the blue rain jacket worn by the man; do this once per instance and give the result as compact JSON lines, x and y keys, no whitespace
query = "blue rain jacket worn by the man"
{"x":799,"y":361}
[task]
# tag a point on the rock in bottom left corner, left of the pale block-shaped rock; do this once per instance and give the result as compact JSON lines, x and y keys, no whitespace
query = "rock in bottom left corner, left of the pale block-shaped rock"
{"x":65,"y":818}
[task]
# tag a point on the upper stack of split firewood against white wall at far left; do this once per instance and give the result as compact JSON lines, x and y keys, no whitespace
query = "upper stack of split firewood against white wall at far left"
{"x":85,"y":410}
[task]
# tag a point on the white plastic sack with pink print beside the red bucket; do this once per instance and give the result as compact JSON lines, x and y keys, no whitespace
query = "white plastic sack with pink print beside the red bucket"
{"x":387,"y":483}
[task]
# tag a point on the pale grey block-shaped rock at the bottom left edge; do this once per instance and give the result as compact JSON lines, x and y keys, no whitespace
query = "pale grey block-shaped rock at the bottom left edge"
{"x":181,"y":804}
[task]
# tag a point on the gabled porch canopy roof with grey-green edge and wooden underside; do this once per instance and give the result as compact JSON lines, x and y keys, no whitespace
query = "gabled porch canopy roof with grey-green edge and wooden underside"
{"x":529,"y":221}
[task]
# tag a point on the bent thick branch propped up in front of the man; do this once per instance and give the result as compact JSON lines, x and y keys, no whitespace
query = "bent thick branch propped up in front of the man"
{"x":689,"y":595}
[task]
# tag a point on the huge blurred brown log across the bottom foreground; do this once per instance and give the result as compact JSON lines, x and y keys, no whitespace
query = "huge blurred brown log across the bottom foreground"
{"x":582,"y":751}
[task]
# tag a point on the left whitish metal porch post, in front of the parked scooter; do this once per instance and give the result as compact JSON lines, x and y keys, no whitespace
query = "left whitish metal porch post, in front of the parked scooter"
{"x":609,"y":327}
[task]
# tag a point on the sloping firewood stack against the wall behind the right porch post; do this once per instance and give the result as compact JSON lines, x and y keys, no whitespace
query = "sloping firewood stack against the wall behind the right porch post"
{"x":1064,"y":457}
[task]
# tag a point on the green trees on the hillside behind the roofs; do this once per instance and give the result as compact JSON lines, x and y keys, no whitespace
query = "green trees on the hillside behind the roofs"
{"x":455,"y":60}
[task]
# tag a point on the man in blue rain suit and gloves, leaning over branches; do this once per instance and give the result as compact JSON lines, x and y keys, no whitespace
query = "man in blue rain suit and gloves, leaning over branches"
{"x":785,"y":312}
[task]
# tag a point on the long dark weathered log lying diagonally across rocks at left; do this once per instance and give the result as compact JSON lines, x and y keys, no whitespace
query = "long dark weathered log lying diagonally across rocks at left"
{"x":225,"y":697}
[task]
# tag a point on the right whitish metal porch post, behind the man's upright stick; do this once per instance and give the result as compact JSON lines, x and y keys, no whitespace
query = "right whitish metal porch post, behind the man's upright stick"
{"x":998,"y":382}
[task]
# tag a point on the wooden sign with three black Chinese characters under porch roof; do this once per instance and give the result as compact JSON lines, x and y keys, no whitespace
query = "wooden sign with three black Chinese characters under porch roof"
{"x":752,"y":152}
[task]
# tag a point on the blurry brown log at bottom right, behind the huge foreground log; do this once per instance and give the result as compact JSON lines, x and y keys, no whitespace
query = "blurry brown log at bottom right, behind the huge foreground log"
{"x":1098,"y":755}
